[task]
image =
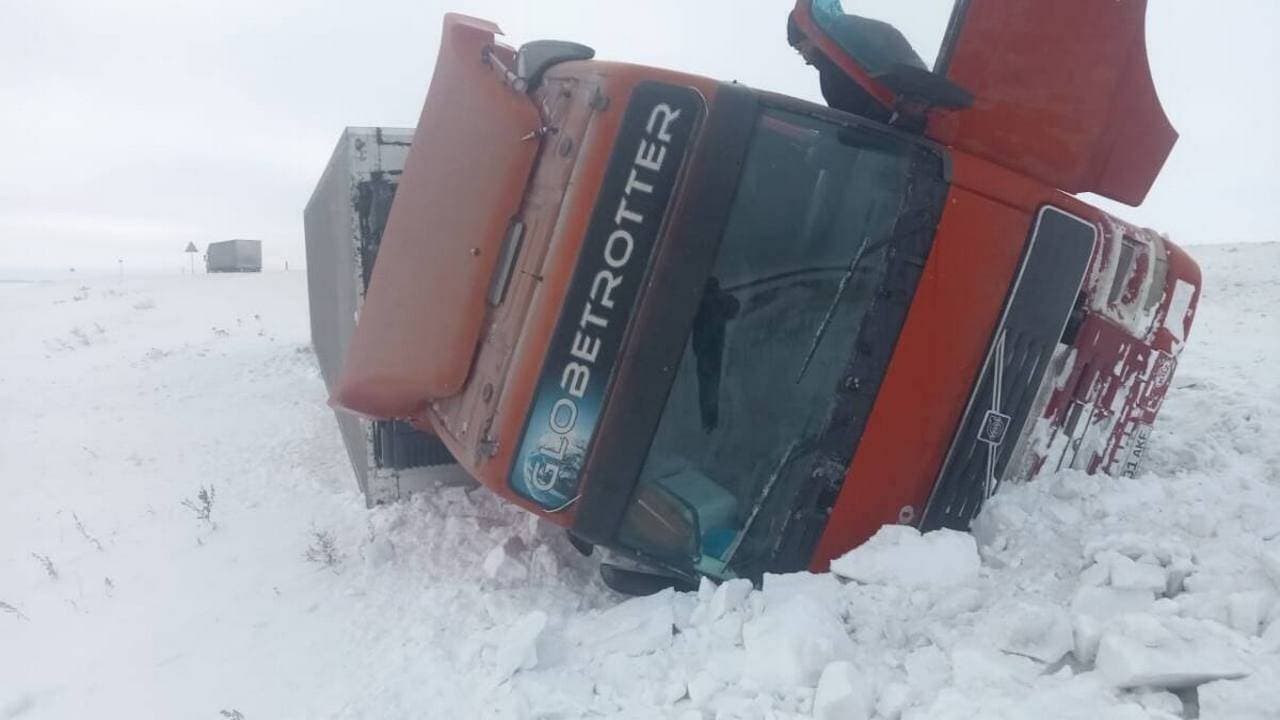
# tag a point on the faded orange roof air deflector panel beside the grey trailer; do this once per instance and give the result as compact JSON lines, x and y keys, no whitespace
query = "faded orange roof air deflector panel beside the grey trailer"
{"x":464,"y":183}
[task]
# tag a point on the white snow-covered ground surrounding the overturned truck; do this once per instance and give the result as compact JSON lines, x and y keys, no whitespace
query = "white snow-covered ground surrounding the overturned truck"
{"x":120,"y":400}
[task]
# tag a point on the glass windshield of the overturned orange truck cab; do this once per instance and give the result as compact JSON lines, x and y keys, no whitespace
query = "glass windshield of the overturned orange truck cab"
{"x":799,"y":267}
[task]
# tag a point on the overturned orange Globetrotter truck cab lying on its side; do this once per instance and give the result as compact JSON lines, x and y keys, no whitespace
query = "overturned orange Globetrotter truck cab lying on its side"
{"x":723,"y":332}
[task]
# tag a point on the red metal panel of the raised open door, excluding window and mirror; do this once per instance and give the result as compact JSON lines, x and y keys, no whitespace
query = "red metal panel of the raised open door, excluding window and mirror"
{"x":1063,"y":93}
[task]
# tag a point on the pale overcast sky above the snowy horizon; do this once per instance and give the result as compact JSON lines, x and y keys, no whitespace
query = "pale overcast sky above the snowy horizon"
{"x":132,"y":127}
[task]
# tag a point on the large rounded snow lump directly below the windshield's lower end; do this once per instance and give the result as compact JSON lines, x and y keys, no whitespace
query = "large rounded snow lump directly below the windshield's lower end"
{"x":792,"y":642}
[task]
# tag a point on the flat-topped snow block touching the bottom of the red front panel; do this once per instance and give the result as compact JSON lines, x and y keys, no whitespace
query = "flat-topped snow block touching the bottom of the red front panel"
{"x":899,"y":555}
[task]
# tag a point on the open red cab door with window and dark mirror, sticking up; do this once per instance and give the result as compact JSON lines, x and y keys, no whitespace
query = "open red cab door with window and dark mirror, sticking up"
{"x":1058,"y":90}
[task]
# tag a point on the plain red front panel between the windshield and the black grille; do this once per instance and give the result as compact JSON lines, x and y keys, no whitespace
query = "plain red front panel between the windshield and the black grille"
{"x":931,"y":375}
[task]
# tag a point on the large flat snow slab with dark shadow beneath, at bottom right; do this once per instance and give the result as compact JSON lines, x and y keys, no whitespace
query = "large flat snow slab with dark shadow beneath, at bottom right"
{"x":1145,"y":651}
